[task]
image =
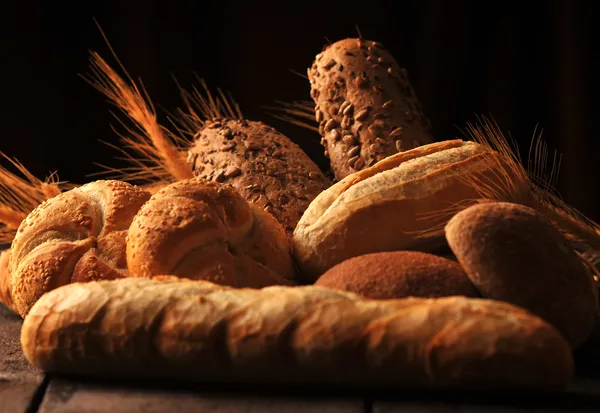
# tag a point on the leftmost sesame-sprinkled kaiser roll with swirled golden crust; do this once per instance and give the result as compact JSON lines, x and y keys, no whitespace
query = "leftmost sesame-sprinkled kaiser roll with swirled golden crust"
{"x":78,"y":235}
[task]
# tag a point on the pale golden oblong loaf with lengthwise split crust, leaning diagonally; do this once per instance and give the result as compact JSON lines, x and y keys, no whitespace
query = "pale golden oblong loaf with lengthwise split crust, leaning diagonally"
{"x":388,"y":206}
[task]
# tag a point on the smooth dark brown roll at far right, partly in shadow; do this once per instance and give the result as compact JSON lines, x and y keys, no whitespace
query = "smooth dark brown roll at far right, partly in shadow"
{"x":513,"y":253}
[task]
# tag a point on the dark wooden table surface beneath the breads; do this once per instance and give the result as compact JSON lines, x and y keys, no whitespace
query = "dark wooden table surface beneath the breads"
{"x":24,"y":389}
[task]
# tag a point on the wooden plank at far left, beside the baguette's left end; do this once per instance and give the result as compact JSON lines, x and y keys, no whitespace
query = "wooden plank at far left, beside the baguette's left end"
{"x":19,"y":381}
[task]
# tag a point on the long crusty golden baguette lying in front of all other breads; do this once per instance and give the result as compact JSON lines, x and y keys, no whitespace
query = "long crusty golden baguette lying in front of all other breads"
{"x":169,"y":327}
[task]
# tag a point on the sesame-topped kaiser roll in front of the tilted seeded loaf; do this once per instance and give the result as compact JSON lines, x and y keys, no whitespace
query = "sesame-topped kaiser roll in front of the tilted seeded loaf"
{"x":204,"y":230}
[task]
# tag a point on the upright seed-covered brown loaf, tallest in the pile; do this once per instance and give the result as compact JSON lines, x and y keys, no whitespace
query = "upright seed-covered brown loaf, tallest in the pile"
{"x":365,"y":106}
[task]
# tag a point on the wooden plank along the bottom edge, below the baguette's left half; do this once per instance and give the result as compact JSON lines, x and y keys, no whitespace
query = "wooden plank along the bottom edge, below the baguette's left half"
{"x":70,"y":396}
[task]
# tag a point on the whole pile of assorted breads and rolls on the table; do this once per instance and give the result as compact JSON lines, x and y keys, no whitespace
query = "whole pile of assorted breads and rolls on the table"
{"x":403,"y":273}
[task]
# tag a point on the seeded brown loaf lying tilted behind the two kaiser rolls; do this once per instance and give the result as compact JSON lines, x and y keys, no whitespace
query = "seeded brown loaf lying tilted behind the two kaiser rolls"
{"x":266,"y":167}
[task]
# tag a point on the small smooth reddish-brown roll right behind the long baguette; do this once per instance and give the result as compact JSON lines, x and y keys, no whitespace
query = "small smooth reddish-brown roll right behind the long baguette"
{"x":399,"y":274}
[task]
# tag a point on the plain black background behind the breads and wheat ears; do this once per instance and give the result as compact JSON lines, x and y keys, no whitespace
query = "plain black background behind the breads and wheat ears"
{"x":525,"y":63}
